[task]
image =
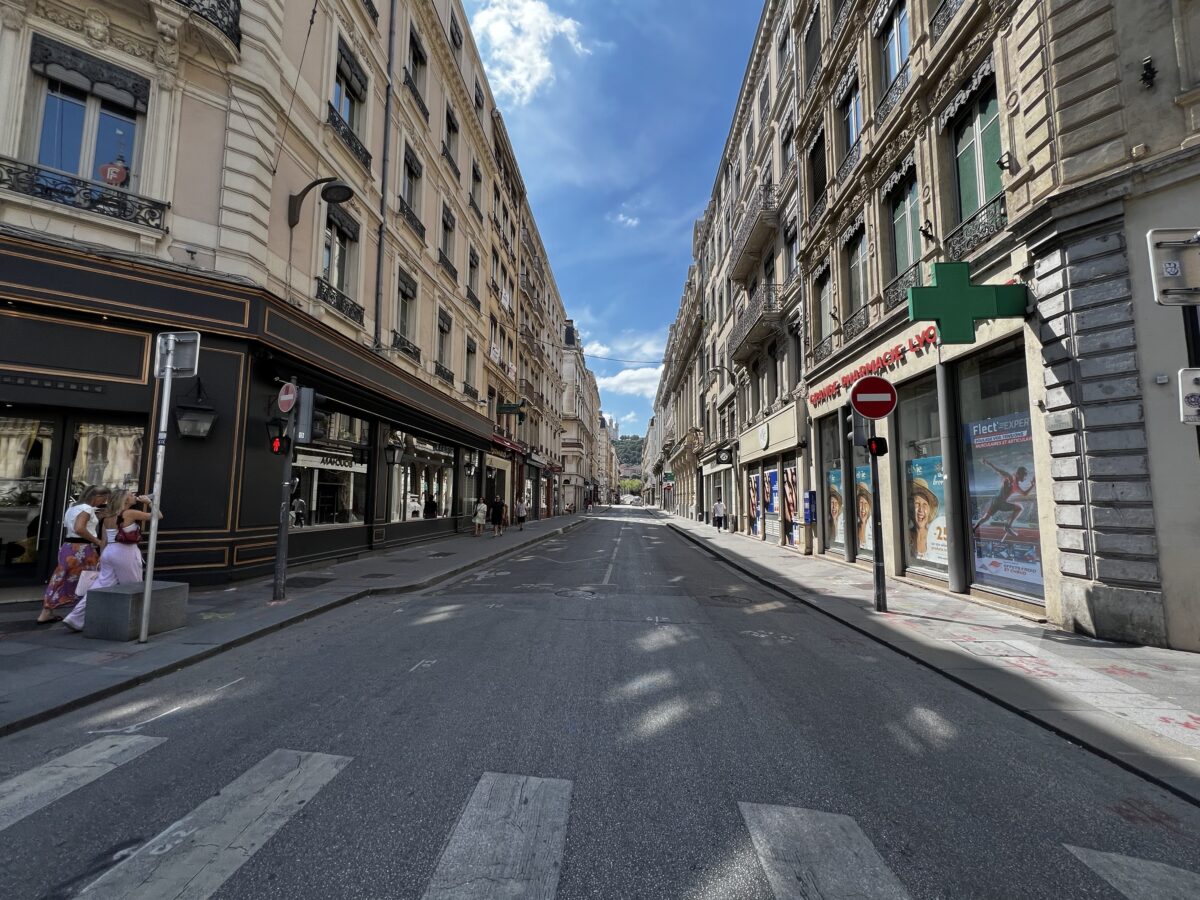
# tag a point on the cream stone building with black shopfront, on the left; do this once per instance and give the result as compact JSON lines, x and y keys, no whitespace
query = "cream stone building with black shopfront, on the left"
{"x":335,"y":205}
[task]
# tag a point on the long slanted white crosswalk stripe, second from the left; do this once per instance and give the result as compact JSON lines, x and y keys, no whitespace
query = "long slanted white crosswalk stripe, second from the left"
{"x":197,"y":855}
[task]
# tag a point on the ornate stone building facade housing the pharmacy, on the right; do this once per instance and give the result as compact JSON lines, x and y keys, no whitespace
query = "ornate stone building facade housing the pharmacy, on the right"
{"x":1036,"y":455}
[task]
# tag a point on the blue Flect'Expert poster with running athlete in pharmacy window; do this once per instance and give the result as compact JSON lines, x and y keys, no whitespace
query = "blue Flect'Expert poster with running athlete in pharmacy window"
{"x":1003,"y":503}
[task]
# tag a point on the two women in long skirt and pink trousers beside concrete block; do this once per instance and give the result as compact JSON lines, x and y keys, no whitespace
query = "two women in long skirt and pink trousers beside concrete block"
{"x":100,"y":550}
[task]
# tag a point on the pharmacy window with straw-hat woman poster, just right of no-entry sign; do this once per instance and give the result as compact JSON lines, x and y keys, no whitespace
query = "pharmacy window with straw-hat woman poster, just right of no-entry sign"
{"x":927,"y":542}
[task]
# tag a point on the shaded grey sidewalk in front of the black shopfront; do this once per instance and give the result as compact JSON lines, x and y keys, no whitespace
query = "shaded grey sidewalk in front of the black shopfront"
{"x":47,"y":671}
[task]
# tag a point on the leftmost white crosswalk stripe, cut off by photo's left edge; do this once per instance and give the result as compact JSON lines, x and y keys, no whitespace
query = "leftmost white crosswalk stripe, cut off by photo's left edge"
{"x":39,"y":788}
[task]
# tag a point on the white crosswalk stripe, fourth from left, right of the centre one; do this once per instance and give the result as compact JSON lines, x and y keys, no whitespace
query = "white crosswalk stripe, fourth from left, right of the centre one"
{"x":807,"y":854}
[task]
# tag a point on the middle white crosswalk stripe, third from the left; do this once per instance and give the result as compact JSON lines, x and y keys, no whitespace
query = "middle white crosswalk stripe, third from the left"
{"x":508,"y":843}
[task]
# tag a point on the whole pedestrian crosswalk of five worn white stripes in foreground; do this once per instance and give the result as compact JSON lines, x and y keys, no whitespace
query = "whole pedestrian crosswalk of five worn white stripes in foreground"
{"x":509,"y":841}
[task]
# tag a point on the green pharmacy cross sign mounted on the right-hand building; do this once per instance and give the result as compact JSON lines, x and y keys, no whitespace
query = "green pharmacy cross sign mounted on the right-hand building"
{"x":956,"y":304}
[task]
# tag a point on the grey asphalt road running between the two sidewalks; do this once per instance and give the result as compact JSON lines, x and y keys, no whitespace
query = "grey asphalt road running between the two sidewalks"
{"x":611,"y":715}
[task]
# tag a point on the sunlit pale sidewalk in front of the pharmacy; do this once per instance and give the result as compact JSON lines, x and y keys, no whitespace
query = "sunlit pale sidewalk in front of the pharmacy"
{"x":1136,"y":706}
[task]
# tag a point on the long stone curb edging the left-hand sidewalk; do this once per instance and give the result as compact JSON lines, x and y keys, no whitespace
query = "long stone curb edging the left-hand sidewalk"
{"x":218,"y":650}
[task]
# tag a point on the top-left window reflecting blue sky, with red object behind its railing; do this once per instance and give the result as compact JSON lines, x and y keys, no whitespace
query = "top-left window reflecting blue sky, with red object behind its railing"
{"x":91,"y":115}
